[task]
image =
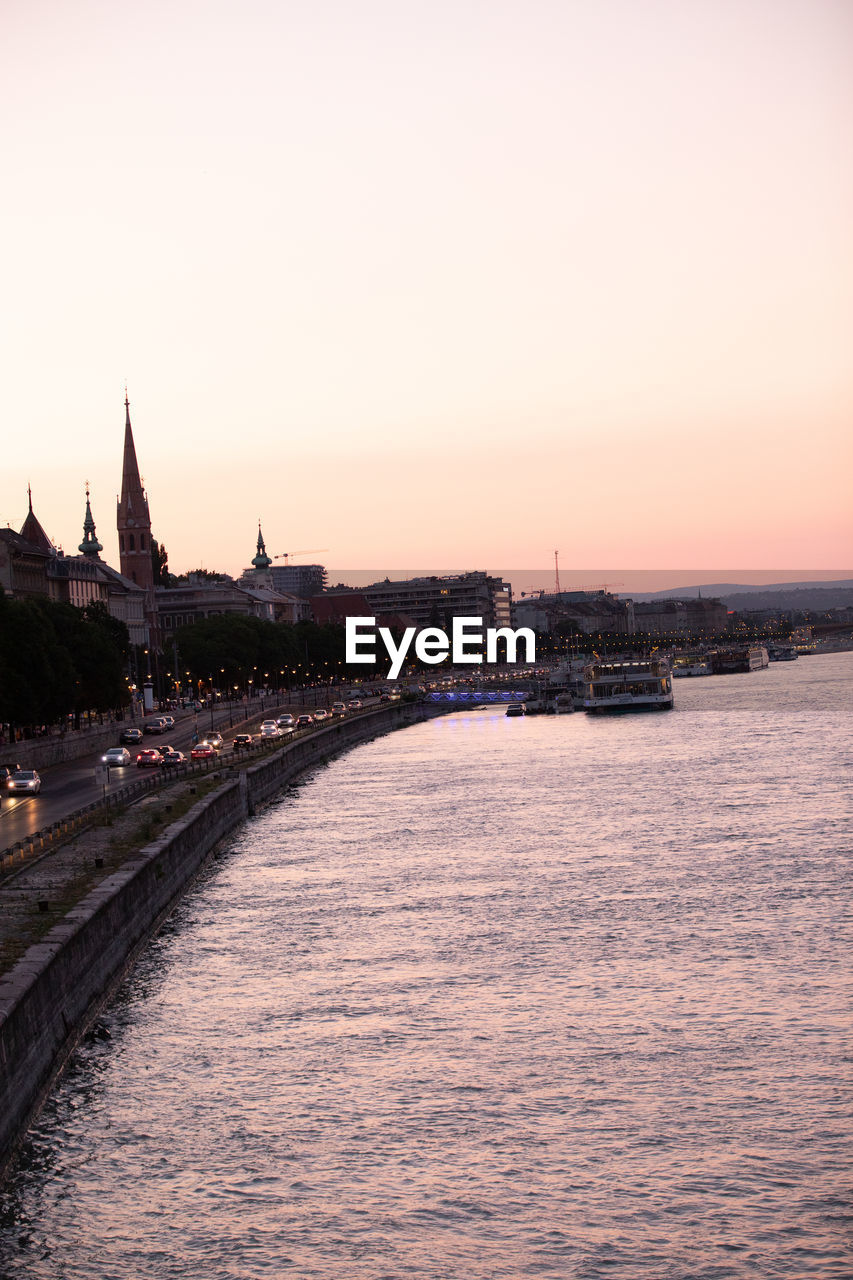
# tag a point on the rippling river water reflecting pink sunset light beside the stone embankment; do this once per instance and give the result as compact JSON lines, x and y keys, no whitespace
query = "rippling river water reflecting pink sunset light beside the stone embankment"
{"x":555,"y":998}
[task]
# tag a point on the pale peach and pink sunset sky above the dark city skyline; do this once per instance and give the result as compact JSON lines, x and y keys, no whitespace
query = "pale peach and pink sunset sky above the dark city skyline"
{"x":435,"y":285}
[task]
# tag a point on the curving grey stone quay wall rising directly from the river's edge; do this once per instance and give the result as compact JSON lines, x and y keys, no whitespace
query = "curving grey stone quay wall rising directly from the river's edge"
{"x":54,"y":991}
